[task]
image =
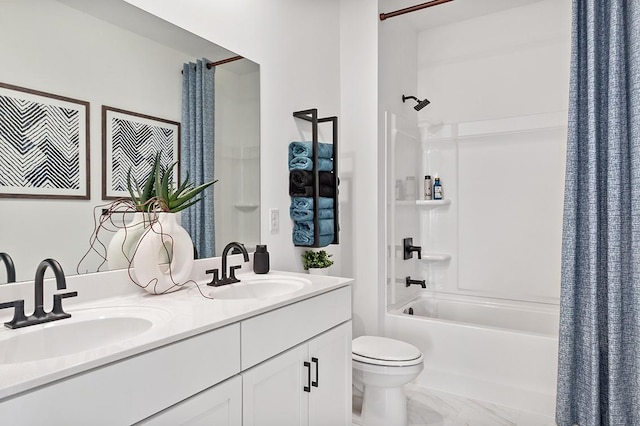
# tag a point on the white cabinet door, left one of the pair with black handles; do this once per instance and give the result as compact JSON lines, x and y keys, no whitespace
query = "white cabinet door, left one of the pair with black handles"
{"x":272,"y":392}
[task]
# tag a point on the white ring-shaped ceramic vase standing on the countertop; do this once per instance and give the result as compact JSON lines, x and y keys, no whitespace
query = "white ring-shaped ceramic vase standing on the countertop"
{"x":165,"y":238}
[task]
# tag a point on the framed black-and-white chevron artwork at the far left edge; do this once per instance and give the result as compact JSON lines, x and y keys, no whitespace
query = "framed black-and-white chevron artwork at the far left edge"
{"x":44,"y":145}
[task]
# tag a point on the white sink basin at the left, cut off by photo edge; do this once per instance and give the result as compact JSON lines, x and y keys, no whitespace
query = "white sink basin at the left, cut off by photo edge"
{"x":87,"y":329}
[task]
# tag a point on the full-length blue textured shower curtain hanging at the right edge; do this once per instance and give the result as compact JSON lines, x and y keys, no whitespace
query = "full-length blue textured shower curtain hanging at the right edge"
{"x":599,"y":348}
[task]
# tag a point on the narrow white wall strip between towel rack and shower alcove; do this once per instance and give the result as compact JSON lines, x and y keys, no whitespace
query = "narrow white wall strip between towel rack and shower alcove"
{"x":361,"y":196}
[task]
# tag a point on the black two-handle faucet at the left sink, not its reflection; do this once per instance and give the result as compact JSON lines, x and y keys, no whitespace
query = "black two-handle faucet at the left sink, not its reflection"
{"x":39,"y":315}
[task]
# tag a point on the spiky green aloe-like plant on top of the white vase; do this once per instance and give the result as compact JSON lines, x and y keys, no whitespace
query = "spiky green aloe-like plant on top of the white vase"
{"x":159,"y":192}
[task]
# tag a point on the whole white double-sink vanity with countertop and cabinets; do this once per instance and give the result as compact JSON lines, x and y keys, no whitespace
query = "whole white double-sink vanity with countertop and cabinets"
{"x":271,"y":349}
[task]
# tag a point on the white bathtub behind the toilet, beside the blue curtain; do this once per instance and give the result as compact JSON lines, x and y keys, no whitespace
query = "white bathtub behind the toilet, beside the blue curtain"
{"x":502,"y":352}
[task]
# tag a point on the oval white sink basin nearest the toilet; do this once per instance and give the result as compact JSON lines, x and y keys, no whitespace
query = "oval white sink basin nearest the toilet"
{"x":259,"y":287}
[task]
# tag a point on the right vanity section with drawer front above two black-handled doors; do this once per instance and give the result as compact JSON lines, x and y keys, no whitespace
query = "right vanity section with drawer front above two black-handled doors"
{"x":308,"y":382}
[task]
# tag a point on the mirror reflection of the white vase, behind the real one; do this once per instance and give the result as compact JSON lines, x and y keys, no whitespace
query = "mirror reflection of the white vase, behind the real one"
{"x":123,"y":245}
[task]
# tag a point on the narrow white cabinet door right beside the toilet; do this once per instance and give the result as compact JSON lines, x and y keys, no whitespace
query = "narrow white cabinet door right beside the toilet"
{"x":330,"y":355}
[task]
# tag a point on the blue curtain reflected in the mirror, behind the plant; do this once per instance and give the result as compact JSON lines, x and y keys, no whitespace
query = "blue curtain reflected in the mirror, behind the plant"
{"x":197,"y":151}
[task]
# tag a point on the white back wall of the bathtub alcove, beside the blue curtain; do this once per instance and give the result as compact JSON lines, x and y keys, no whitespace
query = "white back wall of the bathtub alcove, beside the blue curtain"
{"x":496,"y":133}
